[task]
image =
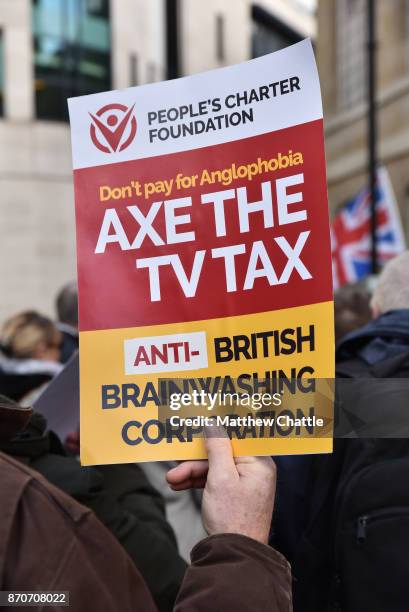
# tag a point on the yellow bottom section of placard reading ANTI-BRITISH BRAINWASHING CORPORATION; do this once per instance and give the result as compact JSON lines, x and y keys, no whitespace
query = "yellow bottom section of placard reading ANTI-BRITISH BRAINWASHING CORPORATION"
{"x":103,"y":366}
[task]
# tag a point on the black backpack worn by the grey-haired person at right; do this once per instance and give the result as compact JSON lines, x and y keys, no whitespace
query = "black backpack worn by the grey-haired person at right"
{"x":354,"y":552}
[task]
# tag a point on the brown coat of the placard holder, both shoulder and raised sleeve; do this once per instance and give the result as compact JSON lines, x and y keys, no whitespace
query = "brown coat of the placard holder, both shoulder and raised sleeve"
{"x":48,"y":541}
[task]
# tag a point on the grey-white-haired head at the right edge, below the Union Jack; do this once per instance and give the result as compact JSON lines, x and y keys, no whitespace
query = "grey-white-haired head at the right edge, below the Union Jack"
{"x":392,"y":289}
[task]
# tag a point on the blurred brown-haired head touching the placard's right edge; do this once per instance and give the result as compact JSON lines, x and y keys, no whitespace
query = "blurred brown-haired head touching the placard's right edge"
{"x":352,"y":309}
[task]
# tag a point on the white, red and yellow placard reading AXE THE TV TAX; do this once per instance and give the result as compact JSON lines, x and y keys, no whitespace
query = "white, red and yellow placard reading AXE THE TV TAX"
{"x":204,"y":259}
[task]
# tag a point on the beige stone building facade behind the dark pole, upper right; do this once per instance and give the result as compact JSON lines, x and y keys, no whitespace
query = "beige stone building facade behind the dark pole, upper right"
{"x":342,"y":55}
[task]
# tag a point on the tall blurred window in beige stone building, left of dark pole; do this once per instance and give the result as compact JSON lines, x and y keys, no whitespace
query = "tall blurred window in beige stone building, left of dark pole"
{"x":351,"y":51}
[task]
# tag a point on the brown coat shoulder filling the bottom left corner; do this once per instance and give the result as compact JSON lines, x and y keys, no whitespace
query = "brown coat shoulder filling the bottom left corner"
{"x":50,"y":542}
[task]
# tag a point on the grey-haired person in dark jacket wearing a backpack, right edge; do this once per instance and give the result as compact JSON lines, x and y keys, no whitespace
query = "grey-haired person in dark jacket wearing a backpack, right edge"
{"x":353,"y":535}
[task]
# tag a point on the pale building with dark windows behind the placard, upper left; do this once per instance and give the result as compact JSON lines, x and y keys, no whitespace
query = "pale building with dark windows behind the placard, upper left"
{"x":54,"y":49}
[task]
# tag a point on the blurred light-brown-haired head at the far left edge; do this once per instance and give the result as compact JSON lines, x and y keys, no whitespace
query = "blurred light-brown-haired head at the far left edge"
{"x":30,"y":335}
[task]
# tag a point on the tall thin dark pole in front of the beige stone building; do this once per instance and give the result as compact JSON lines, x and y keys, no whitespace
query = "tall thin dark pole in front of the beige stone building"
{"x":372,"y":127}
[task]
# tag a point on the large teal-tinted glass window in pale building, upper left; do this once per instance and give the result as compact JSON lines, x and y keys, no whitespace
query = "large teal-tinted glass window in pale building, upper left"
{"x":71,"y":52}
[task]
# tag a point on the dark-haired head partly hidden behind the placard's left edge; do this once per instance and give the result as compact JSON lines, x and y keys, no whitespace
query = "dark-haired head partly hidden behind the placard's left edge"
{"x":66,"y":305}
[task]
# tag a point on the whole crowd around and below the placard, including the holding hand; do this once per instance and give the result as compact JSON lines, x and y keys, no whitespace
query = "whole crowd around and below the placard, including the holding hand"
{"x":319,"y":532}
